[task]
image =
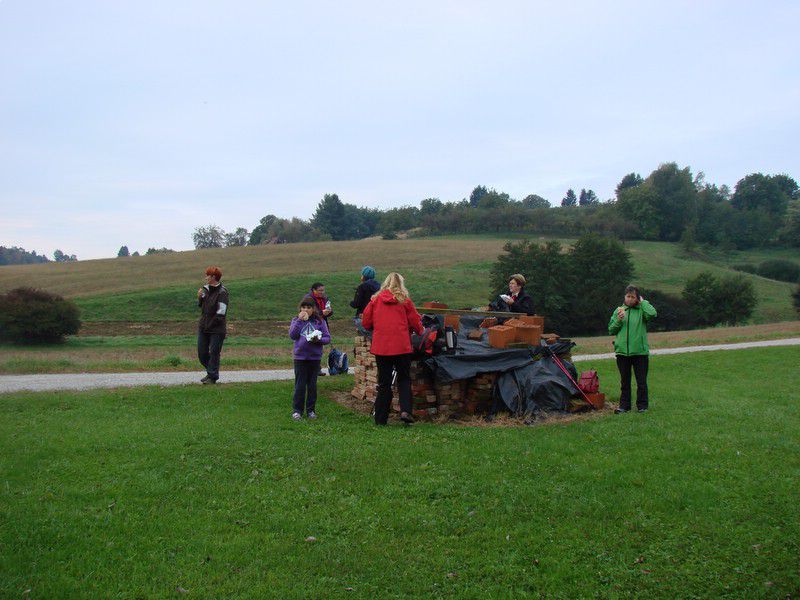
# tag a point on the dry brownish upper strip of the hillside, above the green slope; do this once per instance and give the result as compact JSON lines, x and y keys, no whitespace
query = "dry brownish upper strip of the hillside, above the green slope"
{"x":303,"y":261}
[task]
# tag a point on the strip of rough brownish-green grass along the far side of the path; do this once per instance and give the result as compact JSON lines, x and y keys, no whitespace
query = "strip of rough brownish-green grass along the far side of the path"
{"x":119,"y":353}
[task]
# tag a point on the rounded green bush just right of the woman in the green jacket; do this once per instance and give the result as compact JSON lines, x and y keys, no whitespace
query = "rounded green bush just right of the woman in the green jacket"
{"x":728,"y":300}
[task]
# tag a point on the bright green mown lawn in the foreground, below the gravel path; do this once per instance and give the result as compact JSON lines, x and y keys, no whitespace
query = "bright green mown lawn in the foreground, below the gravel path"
{"x":216,"y":492}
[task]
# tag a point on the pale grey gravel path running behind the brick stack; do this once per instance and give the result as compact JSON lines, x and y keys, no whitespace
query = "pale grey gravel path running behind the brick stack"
{"x":87,"y":381}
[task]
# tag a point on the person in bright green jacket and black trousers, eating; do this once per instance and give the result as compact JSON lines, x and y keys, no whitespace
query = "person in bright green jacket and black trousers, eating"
{"x":629,"y":324}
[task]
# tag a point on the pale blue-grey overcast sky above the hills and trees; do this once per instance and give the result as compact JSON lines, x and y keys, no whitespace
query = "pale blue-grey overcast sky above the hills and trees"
{"x":135,"y":122}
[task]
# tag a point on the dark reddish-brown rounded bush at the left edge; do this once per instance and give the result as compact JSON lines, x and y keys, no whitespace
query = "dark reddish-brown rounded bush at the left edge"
{"x":30,"y":315}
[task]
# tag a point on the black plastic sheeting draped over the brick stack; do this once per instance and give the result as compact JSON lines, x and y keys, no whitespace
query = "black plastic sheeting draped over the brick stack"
{"x":525,"y":385}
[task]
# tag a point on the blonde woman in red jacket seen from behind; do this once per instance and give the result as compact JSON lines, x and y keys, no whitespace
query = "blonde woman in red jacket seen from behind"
{"x":392,"y":315}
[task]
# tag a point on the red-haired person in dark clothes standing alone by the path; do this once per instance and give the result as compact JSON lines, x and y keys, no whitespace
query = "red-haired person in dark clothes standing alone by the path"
{"x":212,"y":299}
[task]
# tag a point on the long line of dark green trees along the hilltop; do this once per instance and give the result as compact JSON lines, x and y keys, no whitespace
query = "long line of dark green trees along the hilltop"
{"x":670,"y":204}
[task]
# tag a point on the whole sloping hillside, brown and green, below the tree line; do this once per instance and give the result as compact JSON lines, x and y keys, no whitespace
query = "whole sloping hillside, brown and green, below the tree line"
{"x":266,"y":282}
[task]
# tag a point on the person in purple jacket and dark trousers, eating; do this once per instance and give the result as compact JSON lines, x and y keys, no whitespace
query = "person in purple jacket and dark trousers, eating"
{"x":309,"y":332}
